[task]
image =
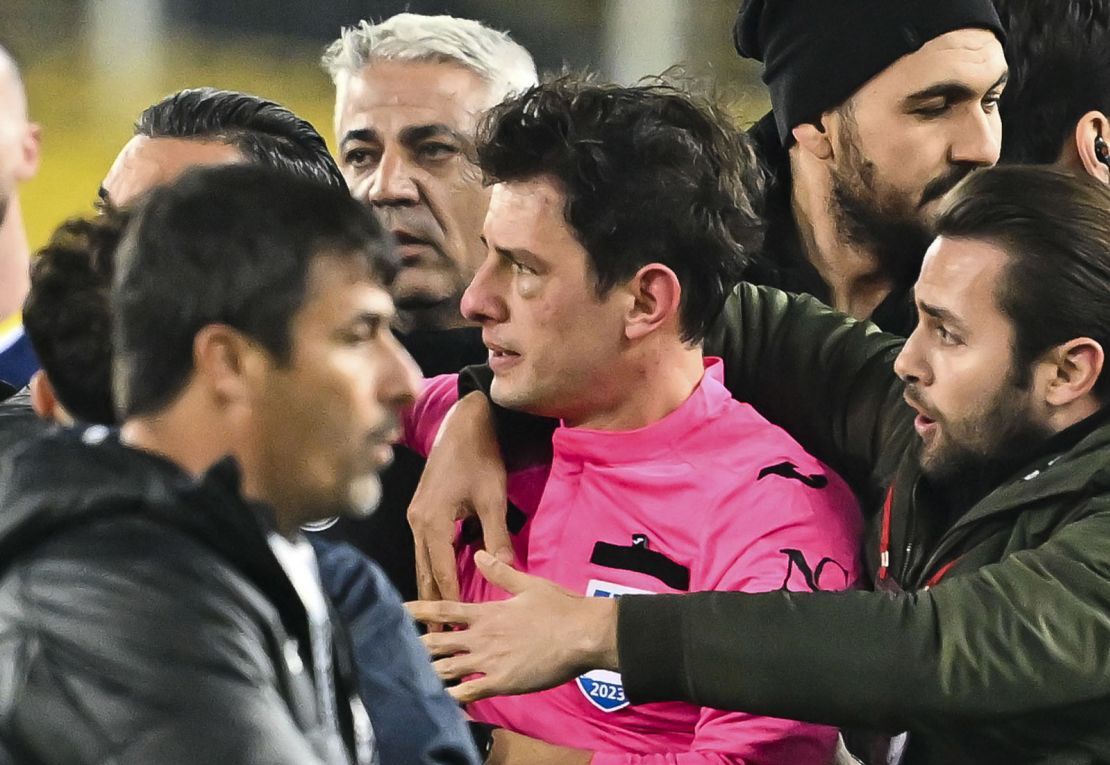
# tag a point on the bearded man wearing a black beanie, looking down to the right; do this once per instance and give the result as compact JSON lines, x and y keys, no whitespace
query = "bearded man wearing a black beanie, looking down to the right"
{"x":880,"y":109}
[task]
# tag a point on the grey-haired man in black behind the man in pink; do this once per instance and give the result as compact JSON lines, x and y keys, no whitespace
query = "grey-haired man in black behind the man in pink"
{"x":409,"y":95}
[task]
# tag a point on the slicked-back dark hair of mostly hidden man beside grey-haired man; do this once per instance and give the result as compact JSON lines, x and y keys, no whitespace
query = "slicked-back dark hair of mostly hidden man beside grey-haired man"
{"x":264,"y":132}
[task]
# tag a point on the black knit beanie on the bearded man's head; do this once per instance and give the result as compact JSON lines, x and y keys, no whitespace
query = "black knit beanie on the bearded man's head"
{"x":816,"y":54}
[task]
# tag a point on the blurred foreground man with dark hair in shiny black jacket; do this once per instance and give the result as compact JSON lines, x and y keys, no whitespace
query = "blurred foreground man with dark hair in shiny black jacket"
{"x":157,"y":600}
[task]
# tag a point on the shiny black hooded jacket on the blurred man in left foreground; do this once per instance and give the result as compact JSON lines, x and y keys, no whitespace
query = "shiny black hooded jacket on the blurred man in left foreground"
{"x":144,"y":619}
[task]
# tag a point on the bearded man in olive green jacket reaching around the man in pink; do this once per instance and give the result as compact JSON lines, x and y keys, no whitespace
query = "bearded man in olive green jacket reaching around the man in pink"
{"x":988,"y":638}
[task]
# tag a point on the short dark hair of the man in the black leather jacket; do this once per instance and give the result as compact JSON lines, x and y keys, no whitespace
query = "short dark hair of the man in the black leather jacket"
{"x":228,"y":245}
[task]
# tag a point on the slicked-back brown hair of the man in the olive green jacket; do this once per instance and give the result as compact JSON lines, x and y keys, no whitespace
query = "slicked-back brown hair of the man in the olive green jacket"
{"x":1055,"y":228}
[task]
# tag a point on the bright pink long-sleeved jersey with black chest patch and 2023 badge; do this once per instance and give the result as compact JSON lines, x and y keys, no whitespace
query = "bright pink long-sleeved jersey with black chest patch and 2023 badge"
{"x":712,"y":497}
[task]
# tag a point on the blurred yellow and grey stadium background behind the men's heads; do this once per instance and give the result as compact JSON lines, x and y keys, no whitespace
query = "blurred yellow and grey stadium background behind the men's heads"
{"x":93,"y":66}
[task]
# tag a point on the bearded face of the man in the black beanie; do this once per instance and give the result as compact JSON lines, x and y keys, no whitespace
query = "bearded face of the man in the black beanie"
{"x":909,"y":137}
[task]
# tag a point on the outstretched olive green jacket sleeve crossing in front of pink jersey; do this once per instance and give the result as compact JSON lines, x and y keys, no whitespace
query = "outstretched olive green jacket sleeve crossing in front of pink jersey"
{"x":1015,"y":638}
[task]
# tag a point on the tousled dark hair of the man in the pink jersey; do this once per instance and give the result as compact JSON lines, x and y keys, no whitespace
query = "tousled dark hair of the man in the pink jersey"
{"x":651,"y":174}
